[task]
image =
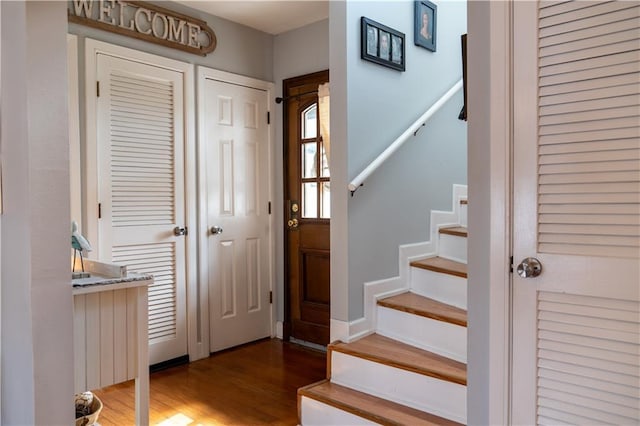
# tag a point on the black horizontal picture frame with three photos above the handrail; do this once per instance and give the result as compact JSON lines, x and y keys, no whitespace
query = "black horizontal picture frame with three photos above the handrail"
{"x":382,"y":45}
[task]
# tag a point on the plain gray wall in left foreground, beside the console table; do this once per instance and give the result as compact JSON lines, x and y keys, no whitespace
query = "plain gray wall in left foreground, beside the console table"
{"x":37,"y":321}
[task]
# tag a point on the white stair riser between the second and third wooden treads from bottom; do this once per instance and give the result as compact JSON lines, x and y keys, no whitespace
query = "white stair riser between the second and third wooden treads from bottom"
{"x":435,"y":336}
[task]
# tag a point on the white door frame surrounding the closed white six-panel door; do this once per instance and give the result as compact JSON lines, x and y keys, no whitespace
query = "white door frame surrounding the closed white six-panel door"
{"x":204,"y":73}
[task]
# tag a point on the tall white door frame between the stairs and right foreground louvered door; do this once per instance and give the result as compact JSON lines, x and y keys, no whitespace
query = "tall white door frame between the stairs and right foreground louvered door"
{"x":489,"y":144}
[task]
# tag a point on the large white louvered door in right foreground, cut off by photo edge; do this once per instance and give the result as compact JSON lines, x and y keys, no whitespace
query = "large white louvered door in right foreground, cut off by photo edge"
{"x":576,"y":327}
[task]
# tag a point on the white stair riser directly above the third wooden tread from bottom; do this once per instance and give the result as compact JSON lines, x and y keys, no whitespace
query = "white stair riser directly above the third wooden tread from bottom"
{"x":445,"y":288}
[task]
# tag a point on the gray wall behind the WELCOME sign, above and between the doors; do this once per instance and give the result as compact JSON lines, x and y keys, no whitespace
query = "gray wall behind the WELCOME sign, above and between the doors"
{"x":245,"y":51}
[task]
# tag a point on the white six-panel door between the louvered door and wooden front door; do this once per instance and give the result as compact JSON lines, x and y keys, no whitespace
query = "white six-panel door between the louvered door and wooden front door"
{"x":237,"y":178}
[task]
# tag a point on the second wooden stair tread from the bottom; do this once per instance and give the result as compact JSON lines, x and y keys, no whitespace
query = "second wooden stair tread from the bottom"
{"x":391,"y":352}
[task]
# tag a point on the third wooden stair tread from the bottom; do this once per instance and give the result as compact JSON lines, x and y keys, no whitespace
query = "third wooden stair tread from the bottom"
{"x":425,"y":307}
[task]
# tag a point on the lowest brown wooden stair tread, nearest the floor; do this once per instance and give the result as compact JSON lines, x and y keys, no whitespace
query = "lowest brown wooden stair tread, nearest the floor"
{"x":370,"y":407}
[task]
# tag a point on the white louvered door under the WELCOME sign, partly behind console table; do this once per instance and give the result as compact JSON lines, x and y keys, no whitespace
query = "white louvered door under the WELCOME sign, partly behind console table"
{"x":140,"y":128}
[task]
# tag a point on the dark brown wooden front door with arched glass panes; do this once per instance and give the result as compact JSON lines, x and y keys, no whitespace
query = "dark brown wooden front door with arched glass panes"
{"x":307,"y":211}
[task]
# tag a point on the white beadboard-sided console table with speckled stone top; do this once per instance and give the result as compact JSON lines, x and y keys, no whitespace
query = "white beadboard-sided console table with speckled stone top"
{"x":110,"y":330}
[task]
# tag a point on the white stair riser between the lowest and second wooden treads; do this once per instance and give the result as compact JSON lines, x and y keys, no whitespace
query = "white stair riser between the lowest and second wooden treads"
{"x":439,"y":397}
